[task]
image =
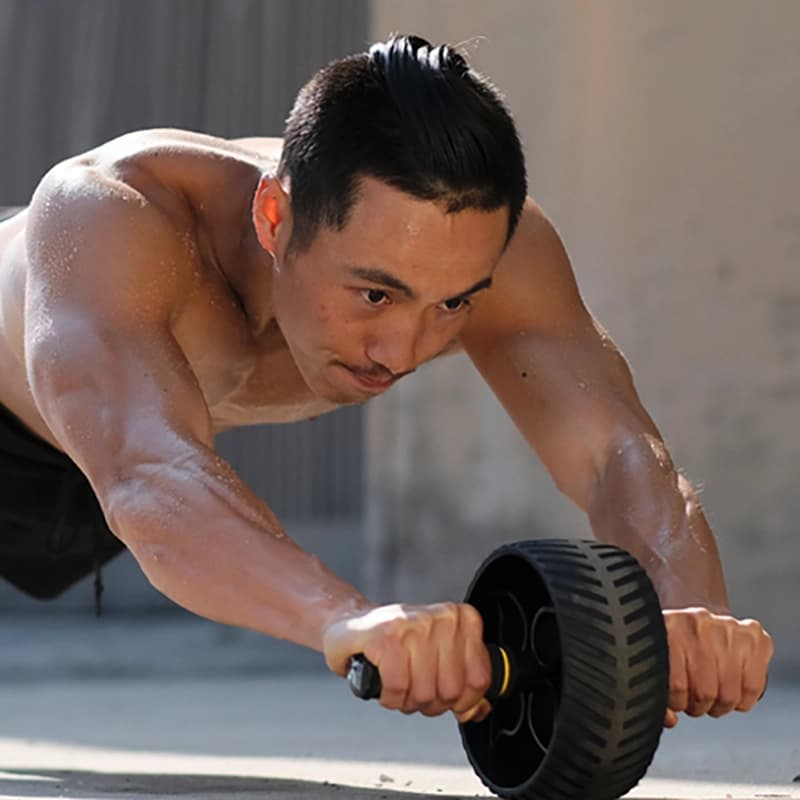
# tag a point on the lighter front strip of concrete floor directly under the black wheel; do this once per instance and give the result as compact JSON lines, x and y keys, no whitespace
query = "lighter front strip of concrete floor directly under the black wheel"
{"x":306,"y":737}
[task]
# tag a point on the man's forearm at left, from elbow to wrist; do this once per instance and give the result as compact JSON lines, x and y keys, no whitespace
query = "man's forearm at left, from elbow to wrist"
{"x":208,"y":543}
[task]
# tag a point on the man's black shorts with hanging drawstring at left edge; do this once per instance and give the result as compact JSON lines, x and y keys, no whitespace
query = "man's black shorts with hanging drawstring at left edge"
{"x":52,"y":529}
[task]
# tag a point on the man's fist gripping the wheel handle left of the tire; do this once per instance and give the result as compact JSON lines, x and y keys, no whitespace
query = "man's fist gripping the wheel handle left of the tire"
{"x":431,"y":658}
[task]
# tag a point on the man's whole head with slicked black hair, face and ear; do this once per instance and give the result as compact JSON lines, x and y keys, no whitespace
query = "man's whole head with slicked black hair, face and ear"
{"x":400,"y":164}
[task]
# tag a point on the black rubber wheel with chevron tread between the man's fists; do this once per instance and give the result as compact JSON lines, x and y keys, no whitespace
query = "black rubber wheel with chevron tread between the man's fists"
{"x":608,"y":686}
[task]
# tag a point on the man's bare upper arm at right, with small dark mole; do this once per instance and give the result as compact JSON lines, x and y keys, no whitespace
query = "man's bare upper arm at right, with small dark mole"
{"x":556,"y":371}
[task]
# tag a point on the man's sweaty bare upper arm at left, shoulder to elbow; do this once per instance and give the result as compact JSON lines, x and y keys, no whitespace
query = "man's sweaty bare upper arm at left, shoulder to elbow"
{"x":106,"y":373}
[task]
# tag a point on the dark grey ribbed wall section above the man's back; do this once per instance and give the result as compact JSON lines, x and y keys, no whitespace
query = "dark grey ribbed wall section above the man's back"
{"x":78,"y":72}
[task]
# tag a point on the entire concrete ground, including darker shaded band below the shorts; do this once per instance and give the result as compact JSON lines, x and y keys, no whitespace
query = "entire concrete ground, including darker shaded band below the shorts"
{"x":170,"y":705}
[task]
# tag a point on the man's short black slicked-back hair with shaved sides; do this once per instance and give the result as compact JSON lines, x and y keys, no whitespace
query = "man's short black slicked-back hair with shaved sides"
{"x":412,"y":115}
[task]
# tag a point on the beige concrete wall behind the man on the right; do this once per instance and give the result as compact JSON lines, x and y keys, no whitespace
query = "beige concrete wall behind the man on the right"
{"x":662,"y":137}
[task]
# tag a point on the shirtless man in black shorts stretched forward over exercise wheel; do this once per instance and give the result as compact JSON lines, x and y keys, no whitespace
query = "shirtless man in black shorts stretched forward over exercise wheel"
{"x":167,"y":286}
